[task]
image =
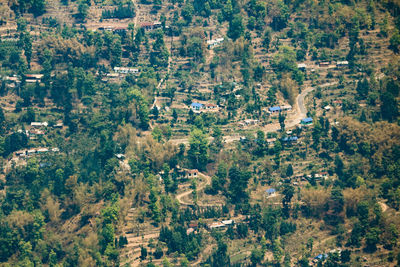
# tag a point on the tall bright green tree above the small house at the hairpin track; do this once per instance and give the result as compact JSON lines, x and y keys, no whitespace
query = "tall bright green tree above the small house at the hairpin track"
{"x":198,"y":154}
